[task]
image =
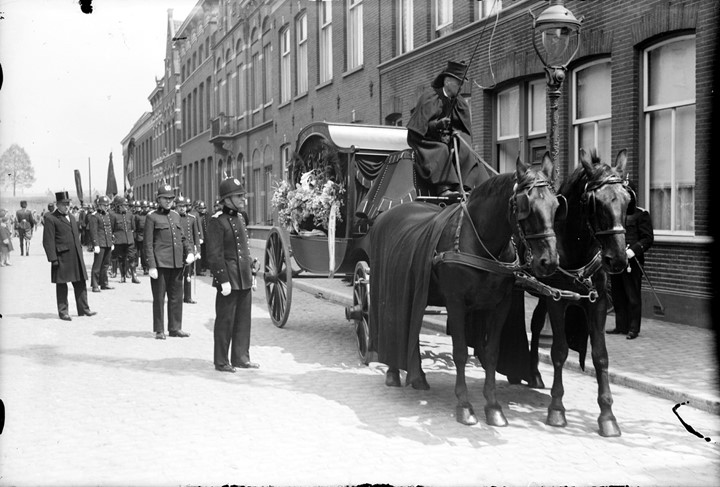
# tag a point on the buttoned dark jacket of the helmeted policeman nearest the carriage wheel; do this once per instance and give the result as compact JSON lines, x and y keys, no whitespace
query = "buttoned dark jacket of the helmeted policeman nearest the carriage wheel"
{"x":228,"y":251}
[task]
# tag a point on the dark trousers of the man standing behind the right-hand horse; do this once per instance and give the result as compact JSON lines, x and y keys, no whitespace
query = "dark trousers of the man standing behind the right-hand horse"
{"x":627,"y":298}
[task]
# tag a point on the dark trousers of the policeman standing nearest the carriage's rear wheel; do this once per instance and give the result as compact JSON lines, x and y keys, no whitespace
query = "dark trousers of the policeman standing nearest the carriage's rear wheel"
{"x":232,"y":327}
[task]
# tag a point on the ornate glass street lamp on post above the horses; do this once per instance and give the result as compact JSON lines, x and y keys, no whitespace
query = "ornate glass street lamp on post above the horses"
{"x":556,"y":26}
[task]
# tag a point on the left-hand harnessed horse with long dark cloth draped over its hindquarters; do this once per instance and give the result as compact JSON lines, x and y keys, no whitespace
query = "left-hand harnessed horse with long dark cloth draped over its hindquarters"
{"x":462,"y":258}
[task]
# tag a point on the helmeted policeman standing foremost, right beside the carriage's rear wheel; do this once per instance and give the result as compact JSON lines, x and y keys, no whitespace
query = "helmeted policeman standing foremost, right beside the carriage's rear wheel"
{"x":231,"y":265}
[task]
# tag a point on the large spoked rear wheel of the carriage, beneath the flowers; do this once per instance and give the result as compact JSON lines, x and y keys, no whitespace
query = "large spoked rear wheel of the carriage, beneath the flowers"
{"x":278,"y":277}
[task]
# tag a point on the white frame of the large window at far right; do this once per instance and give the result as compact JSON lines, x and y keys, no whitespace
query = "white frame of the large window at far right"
{"x":647,"y":111}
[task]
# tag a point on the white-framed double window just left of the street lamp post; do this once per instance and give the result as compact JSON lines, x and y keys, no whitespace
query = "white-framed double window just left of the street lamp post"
{"x":520,"y":124}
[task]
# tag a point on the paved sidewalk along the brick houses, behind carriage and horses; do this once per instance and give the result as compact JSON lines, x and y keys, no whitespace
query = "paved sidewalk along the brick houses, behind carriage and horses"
{"x":670,"y":360}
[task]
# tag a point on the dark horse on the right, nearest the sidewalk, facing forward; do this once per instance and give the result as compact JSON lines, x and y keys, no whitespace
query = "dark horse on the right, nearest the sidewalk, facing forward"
{"x":591,"y":243}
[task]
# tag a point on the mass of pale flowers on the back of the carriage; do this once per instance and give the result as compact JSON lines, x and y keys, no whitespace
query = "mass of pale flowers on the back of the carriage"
{"x":313,"y":202}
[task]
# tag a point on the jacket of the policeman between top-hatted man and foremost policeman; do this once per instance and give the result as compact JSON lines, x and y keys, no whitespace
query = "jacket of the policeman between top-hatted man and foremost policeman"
{"x":165,"y":243}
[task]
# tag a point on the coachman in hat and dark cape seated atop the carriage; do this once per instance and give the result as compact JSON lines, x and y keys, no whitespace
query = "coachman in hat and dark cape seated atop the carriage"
{"x":440,"y":114}
